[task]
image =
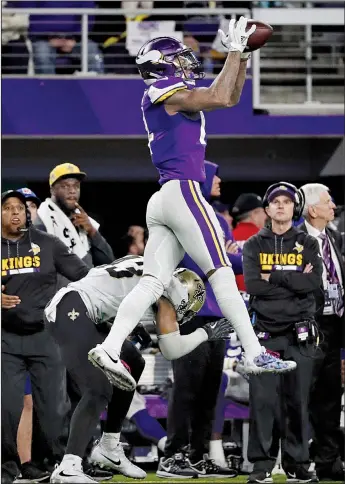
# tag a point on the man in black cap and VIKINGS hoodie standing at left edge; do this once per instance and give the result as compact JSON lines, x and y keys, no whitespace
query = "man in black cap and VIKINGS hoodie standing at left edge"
{"x":30,"y":263}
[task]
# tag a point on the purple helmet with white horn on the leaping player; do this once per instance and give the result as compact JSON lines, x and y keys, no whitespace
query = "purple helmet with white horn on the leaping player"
{"x":167,"y":57}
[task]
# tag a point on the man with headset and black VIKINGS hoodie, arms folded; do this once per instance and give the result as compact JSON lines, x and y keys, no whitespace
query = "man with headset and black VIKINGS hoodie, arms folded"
{"x":282,"y":269}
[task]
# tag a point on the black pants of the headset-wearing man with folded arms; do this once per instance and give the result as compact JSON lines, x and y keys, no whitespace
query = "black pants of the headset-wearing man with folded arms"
{"x":282,"y":399}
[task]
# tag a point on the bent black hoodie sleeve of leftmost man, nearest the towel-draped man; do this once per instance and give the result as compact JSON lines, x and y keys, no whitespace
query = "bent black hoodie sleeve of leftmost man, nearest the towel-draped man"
{"x":67,"y":264}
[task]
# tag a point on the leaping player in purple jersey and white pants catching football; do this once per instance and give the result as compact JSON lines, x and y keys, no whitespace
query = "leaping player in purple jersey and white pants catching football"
{"x":179,"y":219}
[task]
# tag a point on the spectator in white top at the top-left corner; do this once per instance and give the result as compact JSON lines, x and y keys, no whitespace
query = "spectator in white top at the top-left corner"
{"x":15,"y":55}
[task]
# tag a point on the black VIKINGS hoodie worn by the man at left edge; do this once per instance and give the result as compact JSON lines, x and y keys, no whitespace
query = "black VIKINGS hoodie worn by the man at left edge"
{"x":29,"y":269}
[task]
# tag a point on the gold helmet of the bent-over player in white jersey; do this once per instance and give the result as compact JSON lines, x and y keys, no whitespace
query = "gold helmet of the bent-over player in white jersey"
{"x":187,"y":293}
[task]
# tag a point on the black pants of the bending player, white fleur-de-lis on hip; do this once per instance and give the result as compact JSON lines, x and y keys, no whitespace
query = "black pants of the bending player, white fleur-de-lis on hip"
{"x":76,"y":337}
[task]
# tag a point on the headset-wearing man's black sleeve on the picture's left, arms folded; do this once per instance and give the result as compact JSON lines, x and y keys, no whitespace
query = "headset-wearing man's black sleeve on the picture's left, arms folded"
{"x":252,"y":275}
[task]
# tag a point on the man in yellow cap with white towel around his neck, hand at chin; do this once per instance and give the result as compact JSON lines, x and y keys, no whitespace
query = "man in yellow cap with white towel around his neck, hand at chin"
{"x":62,"y":216}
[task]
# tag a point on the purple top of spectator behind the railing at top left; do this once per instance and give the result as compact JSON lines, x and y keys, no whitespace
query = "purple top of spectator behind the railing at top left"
{"x":55,"y":25}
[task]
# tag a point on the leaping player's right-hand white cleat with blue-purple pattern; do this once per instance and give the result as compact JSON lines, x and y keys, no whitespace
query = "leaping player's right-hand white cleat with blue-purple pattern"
{"x":266,"y":362}
